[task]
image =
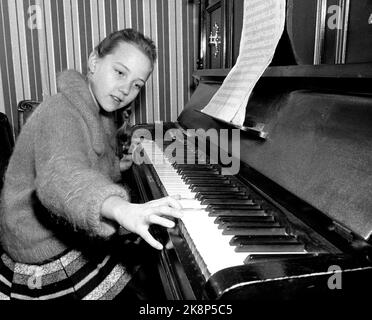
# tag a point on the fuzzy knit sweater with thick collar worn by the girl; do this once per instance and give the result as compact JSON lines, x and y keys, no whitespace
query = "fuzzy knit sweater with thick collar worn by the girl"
{"x":61,"y":171}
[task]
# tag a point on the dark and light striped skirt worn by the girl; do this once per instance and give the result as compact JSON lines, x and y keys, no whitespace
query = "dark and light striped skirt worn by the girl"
{"x":72,"y":276}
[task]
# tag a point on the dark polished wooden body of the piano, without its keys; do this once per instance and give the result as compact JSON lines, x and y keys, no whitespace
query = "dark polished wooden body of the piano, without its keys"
{"x":313,"y":173}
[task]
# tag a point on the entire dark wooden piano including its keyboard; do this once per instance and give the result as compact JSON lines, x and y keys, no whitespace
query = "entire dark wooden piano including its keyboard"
{"x":296,"y":220}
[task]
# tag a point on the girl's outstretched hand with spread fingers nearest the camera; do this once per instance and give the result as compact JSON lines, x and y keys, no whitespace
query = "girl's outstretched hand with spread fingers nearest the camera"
{"x":137,"y":218}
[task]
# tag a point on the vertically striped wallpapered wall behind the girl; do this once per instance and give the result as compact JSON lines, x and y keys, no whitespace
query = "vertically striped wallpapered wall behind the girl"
{"x":39,"y":38}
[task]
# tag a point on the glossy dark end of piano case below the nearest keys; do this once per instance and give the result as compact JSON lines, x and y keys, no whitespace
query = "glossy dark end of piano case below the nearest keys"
{"x":316,"y":278}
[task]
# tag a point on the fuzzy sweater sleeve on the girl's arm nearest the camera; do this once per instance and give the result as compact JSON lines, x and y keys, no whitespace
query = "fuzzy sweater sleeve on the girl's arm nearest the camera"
{"x":66,"y":184}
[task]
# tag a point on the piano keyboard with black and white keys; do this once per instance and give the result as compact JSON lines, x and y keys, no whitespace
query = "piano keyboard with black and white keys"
{"x":222,"y":225}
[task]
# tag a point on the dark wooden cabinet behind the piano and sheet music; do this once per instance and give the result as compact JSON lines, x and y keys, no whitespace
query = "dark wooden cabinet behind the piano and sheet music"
{"x":317,"y":32}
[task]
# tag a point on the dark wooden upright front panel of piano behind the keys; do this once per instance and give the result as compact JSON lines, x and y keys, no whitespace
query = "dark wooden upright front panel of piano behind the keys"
{"x":319,"y":148}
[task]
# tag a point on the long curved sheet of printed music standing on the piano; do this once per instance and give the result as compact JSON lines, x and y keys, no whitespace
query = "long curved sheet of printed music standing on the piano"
{"x":263,"y":25}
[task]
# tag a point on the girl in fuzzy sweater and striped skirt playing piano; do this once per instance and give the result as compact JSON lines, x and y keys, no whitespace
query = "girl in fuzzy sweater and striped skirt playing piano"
{"x":61,"y":205}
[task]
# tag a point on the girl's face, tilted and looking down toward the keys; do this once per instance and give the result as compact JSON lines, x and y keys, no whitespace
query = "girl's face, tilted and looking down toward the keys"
{"x":117,"y":78}
